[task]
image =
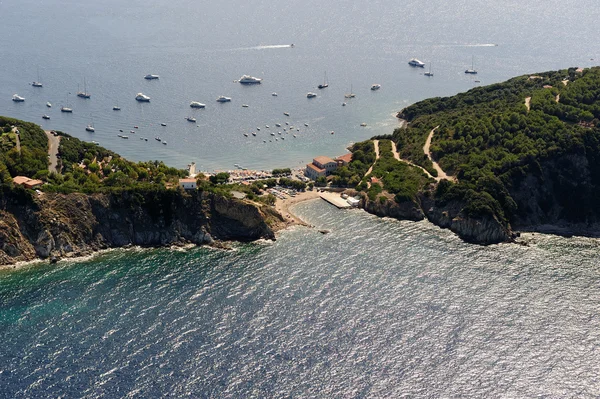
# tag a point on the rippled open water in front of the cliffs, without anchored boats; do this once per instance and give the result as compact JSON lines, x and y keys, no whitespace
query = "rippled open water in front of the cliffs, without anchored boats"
{"x":376,"y":308}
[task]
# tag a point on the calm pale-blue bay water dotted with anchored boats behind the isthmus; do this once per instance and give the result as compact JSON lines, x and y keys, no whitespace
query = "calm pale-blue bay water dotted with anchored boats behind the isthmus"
{"x":199,"y":48}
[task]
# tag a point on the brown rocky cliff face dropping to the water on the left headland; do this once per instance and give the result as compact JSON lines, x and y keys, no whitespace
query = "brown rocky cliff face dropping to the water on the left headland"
{"x":78,"y":224}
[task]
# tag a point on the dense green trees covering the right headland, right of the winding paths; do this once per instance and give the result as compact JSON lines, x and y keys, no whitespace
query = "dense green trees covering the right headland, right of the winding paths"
{"x":495,"y":147}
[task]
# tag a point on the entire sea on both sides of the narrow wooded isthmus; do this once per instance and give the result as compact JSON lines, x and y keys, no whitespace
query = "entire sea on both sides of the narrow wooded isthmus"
{"x":376,"y":308}
